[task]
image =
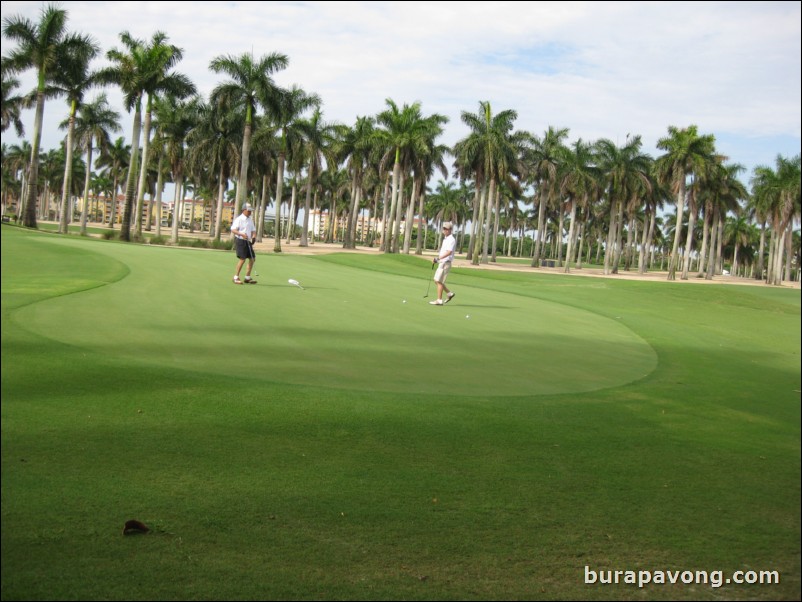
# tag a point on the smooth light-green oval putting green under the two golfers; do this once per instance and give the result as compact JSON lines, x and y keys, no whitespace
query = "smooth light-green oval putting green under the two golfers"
{"x":349,"y":329}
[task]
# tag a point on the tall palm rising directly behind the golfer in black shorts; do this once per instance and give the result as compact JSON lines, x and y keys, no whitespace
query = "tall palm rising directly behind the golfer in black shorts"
{"x":251,"y":85}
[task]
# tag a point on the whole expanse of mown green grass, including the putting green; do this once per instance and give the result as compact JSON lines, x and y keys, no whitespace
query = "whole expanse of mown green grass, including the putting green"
{"x":337,"y":443}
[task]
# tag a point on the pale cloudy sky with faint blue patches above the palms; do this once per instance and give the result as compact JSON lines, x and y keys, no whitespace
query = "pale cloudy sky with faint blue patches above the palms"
{"x":600,"y":69}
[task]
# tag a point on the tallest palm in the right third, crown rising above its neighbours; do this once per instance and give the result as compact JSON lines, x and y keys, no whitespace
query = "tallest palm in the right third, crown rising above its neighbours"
{"x":687,"y":153}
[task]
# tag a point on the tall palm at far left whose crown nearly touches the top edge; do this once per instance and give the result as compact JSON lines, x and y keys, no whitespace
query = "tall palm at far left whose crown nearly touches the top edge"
{"x":42,"y":46}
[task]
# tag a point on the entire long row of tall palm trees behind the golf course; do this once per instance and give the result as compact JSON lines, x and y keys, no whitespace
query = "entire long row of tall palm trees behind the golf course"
{"x":253,"y":132}
